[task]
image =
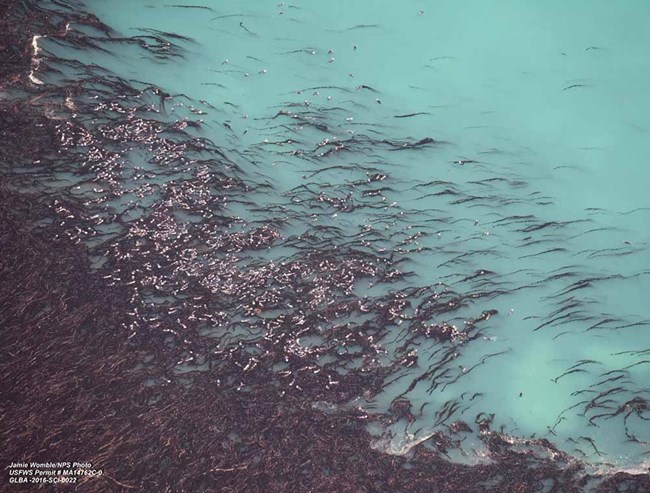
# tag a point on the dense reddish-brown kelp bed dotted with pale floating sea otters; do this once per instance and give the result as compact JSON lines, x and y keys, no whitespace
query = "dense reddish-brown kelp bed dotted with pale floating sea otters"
{"x":149,"y":330}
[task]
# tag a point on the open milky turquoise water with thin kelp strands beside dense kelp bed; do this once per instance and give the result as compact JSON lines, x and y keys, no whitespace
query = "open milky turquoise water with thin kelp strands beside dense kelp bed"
{"x":546,"y":102}
